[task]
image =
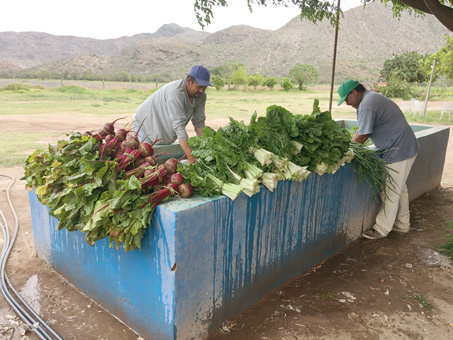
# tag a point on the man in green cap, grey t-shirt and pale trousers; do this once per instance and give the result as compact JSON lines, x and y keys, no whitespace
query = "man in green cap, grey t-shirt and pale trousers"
{"x":381,"y":120}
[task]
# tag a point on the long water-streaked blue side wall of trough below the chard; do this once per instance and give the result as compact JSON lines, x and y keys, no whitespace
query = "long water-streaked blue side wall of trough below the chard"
{"x":236,"y":252}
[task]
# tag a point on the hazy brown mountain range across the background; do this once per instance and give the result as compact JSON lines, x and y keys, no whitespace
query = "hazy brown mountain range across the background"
{"x":367,"y":37}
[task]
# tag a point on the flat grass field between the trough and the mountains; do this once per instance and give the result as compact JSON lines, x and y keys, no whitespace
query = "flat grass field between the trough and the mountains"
{"x":47,"y":98}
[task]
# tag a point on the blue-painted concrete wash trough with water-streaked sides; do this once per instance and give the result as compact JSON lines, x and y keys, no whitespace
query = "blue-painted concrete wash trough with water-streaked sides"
{"x":204,"y":260}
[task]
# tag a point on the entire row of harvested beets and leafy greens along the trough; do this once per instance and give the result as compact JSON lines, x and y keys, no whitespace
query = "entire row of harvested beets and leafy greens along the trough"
{"x":107,"y":183}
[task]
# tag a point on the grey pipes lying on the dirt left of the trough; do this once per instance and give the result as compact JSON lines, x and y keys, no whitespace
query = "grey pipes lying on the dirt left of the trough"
{"x":22,"y":309}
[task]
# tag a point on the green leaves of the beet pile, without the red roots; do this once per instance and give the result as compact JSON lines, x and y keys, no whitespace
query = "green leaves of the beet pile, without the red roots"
{"x":84,"y":193}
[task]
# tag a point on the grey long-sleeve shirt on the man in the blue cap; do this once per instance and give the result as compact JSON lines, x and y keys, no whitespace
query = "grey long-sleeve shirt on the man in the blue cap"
{"x":168,"y":111}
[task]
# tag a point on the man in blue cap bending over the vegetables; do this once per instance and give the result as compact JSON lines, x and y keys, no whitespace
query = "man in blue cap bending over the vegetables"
{"x":167,"y":111}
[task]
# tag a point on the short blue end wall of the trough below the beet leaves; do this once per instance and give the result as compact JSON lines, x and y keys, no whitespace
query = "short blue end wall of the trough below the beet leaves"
{"x":137,"y":287}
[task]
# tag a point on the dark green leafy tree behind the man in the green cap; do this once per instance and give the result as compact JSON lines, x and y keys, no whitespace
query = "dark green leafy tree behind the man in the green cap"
{"x":406,"y":67}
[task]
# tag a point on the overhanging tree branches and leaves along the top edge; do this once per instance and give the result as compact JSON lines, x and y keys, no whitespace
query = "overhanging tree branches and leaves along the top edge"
{"x":315,"y":10}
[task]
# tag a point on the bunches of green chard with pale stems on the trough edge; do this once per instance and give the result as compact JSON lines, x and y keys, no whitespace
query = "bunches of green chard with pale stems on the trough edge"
{"x":278,"y":146}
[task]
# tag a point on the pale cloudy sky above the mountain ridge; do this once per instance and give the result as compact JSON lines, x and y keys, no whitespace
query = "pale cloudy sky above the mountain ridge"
{"x":105,"y":19}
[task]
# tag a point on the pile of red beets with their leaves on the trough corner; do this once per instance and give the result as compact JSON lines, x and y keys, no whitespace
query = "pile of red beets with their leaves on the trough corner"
{"x":103,"y":183}
